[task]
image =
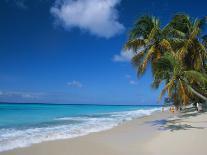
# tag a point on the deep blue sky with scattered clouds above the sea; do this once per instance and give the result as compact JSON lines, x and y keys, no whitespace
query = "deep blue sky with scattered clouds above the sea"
{"x":70,"y":51}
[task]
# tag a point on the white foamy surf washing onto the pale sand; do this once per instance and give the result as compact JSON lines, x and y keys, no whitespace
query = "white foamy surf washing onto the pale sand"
{"x":95,"y":125}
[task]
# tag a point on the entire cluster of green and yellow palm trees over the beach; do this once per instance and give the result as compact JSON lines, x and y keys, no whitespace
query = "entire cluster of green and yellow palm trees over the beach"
{"x":176,"y":54}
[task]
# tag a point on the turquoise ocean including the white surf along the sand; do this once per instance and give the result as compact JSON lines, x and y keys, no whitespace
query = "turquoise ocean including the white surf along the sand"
{"x":25,"y":124}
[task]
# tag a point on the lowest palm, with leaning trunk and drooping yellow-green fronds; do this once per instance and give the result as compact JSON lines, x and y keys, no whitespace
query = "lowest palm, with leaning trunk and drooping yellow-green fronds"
{"x":179,"y":80}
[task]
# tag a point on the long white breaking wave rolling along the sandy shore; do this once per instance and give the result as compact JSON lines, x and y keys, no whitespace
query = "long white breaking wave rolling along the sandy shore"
{"x":14,"y":138}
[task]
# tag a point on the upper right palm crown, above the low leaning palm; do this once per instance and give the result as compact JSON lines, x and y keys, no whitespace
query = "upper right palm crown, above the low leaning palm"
{"x":192,"y":51}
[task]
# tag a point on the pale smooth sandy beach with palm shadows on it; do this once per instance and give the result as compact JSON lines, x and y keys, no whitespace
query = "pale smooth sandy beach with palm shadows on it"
{"x":157,"y":134}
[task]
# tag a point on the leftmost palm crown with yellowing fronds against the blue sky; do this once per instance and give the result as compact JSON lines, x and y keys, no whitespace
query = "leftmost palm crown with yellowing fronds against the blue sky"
{"x":145,"y":41}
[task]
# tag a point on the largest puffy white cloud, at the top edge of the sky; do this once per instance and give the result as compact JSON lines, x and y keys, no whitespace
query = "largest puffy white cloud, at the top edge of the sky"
{"x":98,"y":17}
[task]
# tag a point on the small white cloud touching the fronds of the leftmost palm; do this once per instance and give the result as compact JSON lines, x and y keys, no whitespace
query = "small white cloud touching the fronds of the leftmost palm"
{"x":124,"y":56}
